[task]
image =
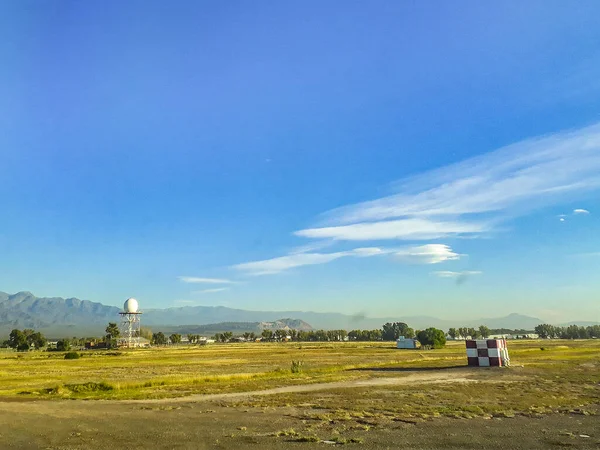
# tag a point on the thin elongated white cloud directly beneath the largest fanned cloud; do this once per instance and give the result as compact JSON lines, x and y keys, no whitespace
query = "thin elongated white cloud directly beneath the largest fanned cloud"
{"x":422,"y":254}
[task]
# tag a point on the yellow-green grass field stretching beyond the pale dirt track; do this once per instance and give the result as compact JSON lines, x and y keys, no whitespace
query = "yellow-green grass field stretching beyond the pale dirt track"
{"x":563,"y":373}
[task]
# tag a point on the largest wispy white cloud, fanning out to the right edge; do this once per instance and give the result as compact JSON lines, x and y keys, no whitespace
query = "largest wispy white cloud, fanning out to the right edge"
{"x":453,"y":200}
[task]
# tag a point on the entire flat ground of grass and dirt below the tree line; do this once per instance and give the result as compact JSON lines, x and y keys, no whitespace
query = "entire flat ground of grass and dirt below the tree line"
{"x":359,"y":395}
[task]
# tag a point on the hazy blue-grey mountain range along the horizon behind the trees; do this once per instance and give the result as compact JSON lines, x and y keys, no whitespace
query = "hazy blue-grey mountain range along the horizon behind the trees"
{"x":58,"y":317}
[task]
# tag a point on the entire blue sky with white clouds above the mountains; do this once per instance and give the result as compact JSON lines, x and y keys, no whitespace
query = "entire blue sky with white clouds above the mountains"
{"x":386,"y":158}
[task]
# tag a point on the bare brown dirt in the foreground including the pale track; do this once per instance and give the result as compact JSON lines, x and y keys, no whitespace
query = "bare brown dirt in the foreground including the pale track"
{"x":218,"y":422}
